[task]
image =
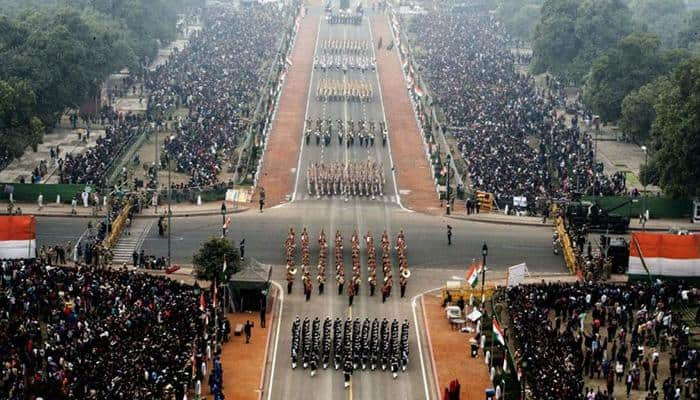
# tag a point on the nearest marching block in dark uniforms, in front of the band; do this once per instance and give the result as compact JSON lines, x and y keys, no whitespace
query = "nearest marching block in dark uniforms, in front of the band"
{"x":350,"y":345}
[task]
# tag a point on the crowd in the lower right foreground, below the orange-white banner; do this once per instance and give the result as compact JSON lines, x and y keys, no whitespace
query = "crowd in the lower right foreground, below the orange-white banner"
{"x":618,"y":333}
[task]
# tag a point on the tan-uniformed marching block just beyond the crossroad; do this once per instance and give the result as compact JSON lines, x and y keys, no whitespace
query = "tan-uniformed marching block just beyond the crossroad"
{"x":350,"y":179}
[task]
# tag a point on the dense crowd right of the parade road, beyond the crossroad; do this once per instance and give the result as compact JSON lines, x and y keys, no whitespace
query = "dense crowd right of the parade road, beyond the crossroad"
{"x":509,"y":131}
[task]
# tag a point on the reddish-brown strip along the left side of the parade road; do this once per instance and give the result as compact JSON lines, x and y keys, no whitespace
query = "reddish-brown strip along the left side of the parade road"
{"x":285,"y":138}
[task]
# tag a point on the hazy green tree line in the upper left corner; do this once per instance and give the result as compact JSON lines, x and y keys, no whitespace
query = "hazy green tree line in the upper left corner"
{"x":55,"y":54}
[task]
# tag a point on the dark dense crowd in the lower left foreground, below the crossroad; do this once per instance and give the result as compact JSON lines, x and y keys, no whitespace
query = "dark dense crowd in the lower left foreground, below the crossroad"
{"x":90,"y":333}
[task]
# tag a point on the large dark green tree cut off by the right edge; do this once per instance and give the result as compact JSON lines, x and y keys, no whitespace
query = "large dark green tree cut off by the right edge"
{"x":675,"y":140}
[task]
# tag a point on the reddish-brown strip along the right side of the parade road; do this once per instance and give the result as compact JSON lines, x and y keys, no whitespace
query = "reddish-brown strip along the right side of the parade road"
{"x":412,"y":168}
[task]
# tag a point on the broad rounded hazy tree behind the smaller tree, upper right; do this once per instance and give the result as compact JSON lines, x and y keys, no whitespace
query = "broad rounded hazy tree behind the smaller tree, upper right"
{"x":635,"y":61}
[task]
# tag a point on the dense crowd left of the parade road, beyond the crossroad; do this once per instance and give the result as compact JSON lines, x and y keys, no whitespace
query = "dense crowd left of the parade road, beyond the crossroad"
{"x":217,"y":77}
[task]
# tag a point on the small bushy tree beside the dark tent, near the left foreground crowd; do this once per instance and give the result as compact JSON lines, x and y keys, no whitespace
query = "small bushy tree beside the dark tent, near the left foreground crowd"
{"x":209,"y":260}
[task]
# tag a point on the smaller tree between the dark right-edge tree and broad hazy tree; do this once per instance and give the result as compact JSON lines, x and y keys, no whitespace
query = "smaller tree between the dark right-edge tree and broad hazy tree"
{"x":638,"y":111}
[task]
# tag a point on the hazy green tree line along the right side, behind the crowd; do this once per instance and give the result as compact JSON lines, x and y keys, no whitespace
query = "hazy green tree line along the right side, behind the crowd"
{"x":638,"y":64}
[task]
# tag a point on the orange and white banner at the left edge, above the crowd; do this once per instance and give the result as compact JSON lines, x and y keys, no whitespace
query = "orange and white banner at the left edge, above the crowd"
{"x":17,"y":237}
